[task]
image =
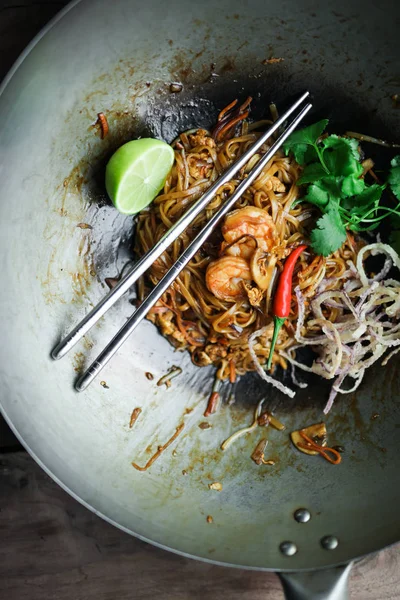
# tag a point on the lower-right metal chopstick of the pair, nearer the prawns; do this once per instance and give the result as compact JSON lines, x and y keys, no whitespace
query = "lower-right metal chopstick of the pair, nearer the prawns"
{"x":182,"y":261}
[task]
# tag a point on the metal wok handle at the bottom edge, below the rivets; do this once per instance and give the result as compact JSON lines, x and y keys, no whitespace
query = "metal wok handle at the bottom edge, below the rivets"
{"x":325,"y":584}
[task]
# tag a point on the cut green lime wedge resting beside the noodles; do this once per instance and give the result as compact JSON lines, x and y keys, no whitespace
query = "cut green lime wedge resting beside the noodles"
{"x":136,"y":172}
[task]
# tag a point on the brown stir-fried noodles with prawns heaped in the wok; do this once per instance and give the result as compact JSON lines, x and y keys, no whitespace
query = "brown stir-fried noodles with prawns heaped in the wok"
{"x":224,"y":294}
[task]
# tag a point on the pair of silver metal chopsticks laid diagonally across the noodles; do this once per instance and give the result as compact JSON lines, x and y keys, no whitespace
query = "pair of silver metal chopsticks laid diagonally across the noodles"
{"x":175,"y":231}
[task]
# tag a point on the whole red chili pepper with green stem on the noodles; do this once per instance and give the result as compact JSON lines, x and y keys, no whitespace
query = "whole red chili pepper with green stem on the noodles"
{"x":283,"y":296}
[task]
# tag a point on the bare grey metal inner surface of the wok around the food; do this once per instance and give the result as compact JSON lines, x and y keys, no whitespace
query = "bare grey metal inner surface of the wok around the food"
{"x":120,"y":61}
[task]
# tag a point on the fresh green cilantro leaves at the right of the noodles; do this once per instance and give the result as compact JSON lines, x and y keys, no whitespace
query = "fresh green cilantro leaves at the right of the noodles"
{"x":333,"y":178}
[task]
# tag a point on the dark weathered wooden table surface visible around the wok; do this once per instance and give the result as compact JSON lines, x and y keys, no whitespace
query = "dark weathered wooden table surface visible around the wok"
{"x":52,"y":548}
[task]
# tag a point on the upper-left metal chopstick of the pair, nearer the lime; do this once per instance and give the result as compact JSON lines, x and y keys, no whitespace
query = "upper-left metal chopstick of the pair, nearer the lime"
{"x":170,"y":236}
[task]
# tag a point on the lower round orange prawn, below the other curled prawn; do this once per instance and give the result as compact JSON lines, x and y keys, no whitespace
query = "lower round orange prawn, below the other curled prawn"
{"x":225,"y":278}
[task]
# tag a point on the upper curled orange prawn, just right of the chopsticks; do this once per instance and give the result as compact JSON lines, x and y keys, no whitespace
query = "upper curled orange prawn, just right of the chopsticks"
{"x":246,"y":225}
